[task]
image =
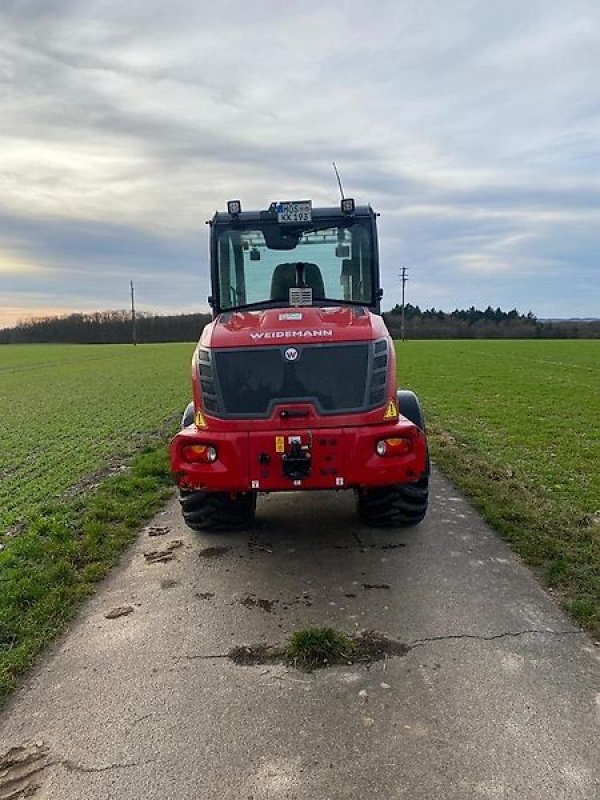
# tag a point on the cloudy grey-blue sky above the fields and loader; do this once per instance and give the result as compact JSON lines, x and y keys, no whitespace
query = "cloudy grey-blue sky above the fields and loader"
{"x":473,"y":126}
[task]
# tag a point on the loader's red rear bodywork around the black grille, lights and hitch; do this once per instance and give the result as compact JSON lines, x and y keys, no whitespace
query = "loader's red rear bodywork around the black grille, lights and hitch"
{"x":341,"y":446}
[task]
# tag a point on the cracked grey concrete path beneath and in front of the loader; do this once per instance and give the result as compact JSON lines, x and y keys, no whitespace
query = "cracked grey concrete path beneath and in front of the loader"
{"x":497,"y":697}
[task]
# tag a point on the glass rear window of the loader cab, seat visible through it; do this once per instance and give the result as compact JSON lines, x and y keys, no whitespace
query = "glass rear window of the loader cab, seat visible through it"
{"x":260,"y":264}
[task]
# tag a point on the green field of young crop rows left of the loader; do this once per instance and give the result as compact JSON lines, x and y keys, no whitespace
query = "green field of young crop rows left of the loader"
{"x":67,"y":411}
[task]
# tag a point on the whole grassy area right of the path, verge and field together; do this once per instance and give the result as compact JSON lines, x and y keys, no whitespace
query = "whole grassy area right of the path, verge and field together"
{"x":516,"y":426}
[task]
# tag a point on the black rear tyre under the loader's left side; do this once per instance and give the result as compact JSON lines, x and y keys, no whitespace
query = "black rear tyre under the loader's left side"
{"x":217,"y":511}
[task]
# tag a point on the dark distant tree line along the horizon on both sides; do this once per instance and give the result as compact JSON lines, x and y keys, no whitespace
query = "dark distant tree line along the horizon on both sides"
{"x":114,"y":327}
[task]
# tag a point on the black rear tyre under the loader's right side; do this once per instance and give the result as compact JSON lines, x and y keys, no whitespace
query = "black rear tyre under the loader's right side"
{"x":398,"y":505}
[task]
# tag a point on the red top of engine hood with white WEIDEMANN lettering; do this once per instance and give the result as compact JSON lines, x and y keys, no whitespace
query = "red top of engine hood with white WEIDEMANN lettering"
{"x":304,"y":325}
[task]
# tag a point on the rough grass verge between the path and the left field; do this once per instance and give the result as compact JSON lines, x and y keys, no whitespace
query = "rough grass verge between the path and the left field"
{"x":64,"y":548}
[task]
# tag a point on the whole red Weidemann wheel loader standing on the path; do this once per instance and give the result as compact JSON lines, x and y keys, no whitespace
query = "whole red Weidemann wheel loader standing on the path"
{"x":294,"y":380}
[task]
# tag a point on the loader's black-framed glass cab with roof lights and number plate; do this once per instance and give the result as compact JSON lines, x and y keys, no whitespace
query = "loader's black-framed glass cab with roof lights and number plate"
{"x":294,"y":255}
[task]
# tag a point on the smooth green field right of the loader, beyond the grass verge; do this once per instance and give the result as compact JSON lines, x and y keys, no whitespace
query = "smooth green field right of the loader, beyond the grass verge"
{"x":530,"y":407}
